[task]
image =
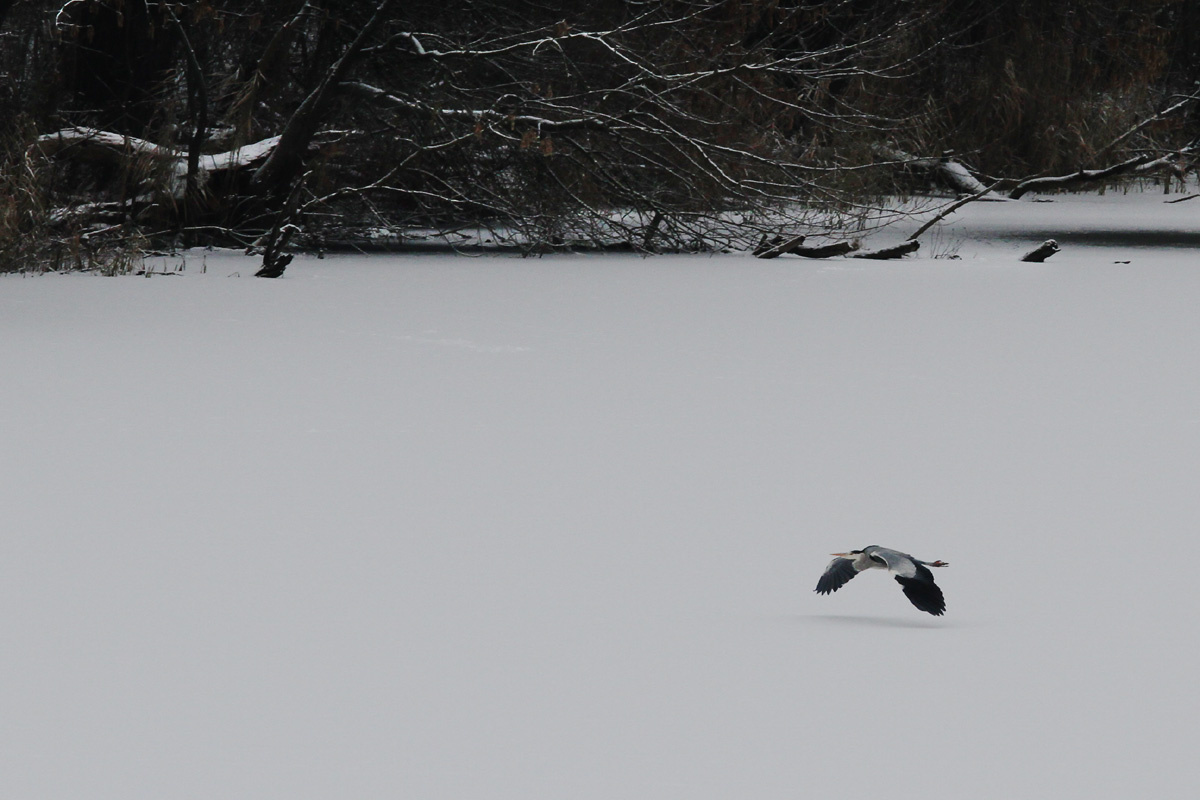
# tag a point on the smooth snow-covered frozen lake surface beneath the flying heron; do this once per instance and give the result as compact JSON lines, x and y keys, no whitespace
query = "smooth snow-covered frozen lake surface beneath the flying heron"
{"x":452,"y":528}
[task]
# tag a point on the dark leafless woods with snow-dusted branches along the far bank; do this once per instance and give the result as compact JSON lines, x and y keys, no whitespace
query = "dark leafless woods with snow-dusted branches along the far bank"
{"x":640,"y":124}
